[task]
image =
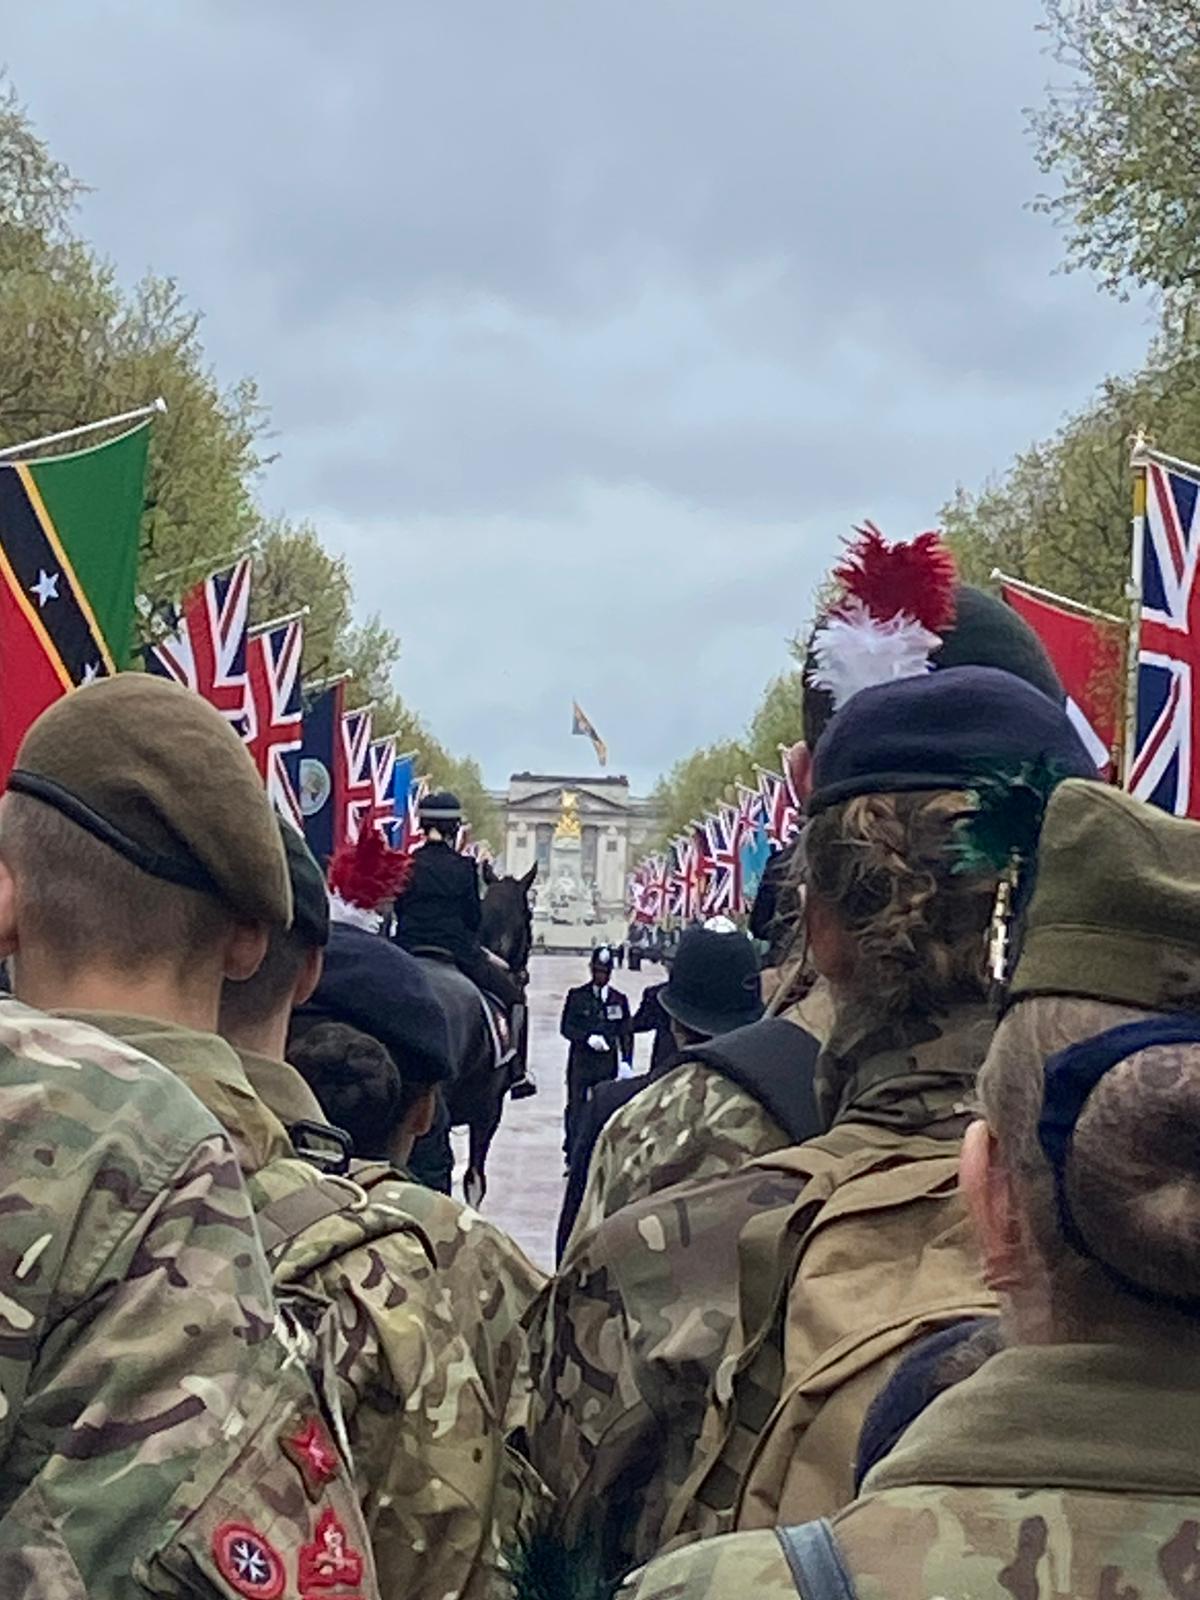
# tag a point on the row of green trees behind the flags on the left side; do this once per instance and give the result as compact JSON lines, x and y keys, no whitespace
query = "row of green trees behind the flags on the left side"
{"x":74,"y":346}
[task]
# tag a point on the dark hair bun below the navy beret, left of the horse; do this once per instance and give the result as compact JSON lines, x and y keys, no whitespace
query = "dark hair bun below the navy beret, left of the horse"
{"x":358,"y":1084}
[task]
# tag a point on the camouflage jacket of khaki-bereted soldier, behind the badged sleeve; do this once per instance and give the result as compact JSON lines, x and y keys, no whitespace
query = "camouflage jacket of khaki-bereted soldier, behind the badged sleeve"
{"x":428,"y":1447}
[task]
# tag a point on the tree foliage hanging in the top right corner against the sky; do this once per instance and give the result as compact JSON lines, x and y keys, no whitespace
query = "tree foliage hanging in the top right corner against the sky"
{"x":1122,"y":137}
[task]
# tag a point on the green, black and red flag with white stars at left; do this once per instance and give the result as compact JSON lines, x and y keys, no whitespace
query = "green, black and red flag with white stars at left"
{"x":68,"y":574}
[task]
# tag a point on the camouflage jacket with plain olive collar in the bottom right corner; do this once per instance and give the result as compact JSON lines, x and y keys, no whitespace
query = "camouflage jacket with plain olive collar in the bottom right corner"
{"x":1055,"y":1471}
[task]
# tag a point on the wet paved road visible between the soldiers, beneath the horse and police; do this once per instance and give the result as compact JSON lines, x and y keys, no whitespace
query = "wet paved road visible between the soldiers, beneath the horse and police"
{"x":526,"y":1169}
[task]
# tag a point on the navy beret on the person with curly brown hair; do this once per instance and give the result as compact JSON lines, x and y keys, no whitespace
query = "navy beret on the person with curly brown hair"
{"x":942,"y":732}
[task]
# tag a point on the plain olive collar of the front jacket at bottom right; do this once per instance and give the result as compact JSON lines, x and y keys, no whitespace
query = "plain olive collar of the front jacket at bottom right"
{"x":1084,"y":1417}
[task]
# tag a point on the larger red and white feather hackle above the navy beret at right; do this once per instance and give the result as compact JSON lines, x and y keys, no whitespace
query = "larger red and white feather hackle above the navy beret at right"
{"x":897,"y":604}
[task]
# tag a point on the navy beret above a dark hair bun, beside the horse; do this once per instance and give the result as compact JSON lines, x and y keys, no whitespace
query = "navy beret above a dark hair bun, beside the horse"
{"x":380,"y":990}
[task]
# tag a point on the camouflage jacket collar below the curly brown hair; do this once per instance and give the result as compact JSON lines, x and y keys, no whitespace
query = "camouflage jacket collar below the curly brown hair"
{"x":913,"y":1073}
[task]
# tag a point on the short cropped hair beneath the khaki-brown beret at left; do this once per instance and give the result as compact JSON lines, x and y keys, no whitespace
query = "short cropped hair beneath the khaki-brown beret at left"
{"x":86,"y":905}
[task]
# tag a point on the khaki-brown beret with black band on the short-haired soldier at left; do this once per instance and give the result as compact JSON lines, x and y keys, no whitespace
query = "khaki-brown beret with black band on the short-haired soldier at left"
{"x":161,"y":777}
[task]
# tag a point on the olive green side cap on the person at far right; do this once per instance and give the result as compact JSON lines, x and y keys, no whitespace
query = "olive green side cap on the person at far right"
{"x":1116,"y":908}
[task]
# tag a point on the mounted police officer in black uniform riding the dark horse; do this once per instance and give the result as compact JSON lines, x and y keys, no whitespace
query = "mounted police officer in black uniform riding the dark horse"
{"x":441,"y":906}
